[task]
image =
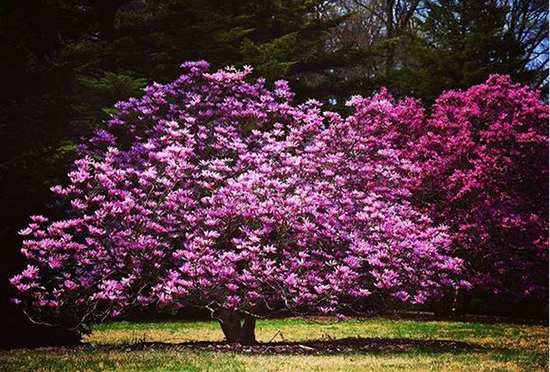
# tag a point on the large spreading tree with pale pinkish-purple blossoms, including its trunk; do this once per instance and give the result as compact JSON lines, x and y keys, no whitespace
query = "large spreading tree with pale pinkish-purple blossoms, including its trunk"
{"x":219,"y":193}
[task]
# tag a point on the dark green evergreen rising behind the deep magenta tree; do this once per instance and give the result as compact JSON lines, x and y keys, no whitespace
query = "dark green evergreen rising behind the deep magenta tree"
{"x":460,"y":44}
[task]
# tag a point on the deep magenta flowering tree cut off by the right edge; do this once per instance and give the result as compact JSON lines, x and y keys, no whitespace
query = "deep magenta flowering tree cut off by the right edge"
{"x":484,"y":152}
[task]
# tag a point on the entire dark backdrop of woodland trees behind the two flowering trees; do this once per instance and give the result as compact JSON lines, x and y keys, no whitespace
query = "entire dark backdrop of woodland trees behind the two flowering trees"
{"x":65,"y":63}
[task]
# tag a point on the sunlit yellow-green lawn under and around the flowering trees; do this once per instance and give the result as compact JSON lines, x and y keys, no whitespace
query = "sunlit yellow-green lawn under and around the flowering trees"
{"x":383,"y":345}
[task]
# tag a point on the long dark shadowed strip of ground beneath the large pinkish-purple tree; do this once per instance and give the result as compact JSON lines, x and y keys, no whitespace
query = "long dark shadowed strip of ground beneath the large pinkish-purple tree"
{"x":313,"y":347}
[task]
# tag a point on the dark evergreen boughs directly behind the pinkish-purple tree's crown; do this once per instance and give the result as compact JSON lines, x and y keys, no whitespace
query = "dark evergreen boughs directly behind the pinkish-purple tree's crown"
{"x":149,"y":39}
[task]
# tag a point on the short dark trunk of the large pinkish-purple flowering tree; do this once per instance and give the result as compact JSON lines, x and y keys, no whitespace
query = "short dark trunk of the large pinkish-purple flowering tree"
{"x":238,"y":327}
